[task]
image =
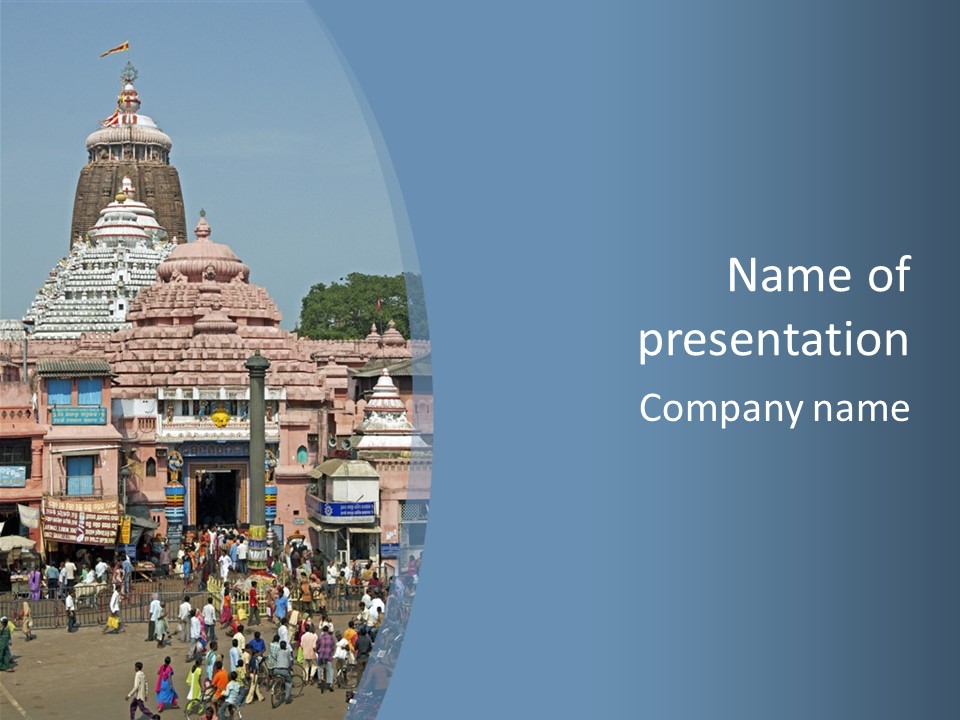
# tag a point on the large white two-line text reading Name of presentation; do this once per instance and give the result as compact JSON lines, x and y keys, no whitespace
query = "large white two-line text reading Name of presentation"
{"x":842,"y":341}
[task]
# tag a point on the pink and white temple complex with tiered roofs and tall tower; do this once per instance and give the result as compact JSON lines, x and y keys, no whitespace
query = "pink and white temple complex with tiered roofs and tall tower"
{"x":129,"y":397}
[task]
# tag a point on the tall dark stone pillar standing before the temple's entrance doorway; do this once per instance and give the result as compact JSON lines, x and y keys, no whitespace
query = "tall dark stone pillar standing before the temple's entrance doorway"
{"x":257,"y":555}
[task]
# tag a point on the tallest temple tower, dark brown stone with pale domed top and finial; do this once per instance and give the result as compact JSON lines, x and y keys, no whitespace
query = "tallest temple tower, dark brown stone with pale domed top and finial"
{"x":129,"y":144}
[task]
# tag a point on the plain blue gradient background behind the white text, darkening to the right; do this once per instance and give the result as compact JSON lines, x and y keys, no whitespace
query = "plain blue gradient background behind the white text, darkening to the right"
{"x":576,"y":172}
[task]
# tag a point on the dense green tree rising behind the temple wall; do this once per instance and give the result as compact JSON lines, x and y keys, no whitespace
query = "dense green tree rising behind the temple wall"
{"x":345,"y":310}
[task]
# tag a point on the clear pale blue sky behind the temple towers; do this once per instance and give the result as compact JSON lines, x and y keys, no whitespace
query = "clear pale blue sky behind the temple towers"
{"x":267,"y":133}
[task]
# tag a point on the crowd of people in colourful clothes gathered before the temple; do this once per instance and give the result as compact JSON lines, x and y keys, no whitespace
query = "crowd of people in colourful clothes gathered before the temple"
{"x":250,"y":625}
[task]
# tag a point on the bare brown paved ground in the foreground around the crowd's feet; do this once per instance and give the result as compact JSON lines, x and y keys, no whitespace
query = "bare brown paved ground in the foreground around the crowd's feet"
{"x":86,"y":675}
